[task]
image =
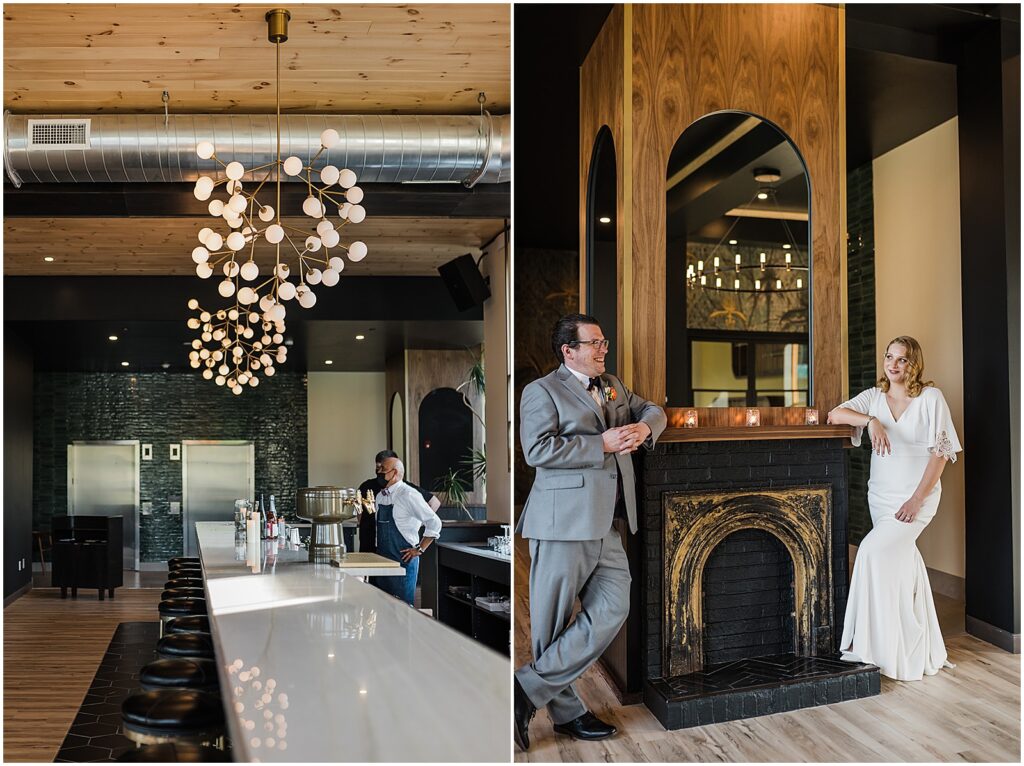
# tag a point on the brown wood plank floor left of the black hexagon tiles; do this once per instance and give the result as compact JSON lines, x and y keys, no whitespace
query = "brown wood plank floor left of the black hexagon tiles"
{"x":52,"y":650}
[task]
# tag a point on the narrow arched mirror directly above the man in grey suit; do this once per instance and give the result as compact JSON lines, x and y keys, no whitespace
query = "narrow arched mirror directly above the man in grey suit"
{"x":603,"y":262}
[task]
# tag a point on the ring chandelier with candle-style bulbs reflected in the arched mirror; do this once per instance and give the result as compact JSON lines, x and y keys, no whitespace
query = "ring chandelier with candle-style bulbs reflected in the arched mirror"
{"x":762,"y":270}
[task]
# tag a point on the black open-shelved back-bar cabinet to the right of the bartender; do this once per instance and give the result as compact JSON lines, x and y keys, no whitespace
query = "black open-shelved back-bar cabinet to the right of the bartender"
{"x":462,"y":578}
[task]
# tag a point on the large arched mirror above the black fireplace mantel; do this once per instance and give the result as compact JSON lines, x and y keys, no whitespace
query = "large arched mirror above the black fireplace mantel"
{"x":738,"y":258}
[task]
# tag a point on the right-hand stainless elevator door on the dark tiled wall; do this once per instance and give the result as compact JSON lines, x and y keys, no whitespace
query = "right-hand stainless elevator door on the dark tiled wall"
{"x":215,"y":475}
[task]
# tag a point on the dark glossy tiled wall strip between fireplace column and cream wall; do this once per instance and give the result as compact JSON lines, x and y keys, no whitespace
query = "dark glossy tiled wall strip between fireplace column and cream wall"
{"x":861,"y":295}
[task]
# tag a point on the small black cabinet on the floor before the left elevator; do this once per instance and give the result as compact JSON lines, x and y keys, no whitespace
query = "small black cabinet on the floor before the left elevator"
{"x":88,"y":554}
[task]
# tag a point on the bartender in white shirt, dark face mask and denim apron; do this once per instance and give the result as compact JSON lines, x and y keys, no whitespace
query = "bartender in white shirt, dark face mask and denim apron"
{"x":401,"y":514}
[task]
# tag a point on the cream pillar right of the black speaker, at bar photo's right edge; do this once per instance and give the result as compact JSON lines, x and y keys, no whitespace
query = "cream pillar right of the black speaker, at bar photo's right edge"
{"x":496,"y":369}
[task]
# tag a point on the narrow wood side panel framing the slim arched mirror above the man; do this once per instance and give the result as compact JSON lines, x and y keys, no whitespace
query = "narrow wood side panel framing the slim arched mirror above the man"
{"x":602,"y":105}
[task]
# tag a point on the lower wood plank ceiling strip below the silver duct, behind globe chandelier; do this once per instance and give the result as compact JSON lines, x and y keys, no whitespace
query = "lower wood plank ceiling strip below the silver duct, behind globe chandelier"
{"x":151,"y":247}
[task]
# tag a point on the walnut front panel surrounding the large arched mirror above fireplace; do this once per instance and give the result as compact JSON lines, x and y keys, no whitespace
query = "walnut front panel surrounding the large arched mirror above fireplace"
{"x":779,"y":62}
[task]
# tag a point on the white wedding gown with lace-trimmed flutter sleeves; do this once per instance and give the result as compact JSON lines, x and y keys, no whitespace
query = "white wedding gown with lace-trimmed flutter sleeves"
{"x":890,"y":615}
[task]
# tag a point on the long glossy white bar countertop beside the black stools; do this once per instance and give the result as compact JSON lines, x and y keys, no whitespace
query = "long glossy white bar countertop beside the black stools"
{"x":317,"y":666}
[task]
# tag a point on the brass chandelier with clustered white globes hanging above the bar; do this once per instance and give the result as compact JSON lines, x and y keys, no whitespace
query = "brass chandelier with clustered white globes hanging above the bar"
{"x":237,"y":345}
